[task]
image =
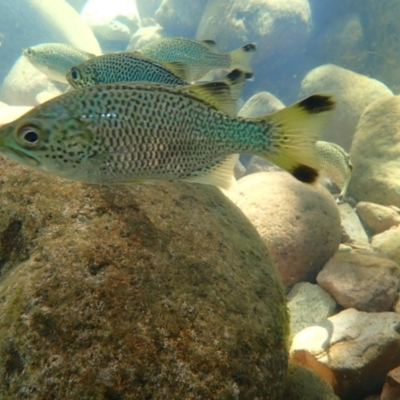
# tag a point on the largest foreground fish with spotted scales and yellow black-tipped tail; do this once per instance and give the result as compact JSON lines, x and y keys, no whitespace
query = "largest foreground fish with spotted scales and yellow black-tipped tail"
{"x":145,"y":132}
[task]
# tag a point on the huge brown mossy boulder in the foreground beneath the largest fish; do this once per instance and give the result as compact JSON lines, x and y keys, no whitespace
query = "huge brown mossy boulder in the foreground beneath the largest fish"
{"x":163,"y":291}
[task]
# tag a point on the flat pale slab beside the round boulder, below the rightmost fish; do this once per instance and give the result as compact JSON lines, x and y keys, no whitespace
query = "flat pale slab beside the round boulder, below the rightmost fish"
{"x":353,"y":232}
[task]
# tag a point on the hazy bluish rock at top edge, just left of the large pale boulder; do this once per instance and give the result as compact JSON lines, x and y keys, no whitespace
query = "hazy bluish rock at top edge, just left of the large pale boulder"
{"x":180,"y":17}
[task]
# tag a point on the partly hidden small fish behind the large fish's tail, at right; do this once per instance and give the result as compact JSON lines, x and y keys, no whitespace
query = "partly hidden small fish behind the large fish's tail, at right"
{"x":335,"y":165}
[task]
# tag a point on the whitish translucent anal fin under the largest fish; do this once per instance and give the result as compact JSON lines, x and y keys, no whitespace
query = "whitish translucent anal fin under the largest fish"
{"x":220,"y":175}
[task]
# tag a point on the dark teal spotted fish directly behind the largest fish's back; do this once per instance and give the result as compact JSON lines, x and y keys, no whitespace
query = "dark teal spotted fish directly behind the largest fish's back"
{"x":125,"y":67}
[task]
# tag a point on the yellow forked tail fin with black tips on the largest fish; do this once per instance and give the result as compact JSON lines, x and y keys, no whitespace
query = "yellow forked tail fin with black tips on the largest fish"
{"x":295,"y":131}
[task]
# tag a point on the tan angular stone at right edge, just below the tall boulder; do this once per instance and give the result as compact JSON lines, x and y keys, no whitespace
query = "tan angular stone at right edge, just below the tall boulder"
{"x":377,"y":218}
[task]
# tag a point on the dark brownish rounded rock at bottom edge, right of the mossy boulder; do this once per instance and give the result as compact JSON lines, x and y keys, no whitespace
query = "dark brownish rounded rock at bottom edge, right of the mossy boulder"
{"x":303,"y":383}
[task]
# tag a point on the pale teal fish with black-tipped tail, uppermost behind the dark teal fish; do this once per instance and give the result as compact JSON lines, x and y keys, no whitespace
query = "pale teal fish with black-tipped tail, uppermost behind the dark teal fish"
{"x":201,"y":56}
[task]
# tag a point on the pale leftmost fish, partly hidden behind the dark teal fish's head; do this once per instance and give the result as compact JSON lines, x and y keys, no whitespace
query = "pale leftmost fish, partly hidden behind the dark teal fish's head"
{"x":55,"y":59}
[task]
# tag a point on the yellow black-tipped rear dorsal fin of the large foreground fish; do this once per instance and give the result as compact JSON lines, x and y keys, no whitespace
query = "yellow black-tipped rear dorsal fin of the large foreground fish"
{"x":223,"y":94}
